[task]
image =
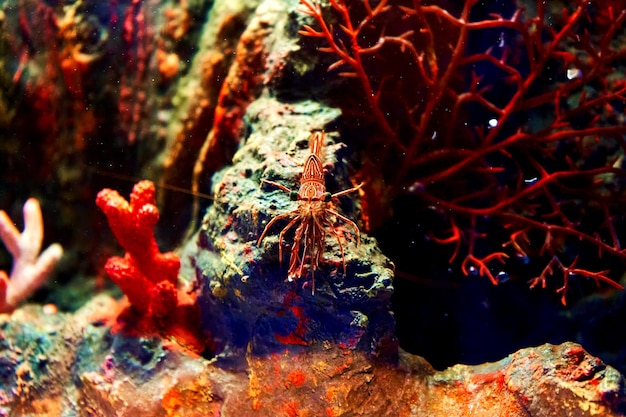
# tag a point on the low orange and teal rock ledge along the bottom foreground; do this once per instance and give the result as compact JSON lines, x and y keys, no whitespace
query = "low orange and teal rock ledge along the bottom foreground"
{"x":61,"y":364}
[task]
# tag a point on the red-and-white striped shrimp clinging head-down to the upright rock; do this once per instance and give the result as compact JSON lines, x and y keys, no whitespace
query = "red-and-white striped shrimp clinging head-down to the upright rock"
{"x":312,"y":216}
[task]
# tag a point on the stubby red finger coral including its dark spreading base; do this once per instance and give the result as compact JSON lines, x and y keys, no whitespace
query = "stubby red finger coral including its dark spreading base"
{"x":148,"y":277}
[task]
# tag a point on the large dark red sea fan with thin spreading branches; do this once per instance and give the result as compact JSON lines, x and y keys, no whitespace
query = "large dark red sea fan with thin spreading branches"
{"x":526,"y":132}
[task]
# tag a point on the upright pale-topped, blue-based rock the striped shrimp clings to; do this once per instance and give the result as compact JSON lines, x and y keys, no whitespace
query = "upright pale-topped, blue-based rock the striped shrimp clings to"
{"x":246,"y":299}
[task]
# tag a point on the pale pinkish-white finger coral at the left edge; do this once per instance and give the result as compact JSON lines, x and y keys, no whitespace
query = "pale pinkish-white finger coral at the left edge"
{"x":30,"y":269}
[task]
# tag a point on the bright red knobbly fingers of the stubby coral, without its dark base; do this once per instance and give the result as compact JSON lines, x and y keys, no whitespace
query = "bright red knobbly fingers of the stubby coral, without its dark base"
{"x":147,"y":276}
